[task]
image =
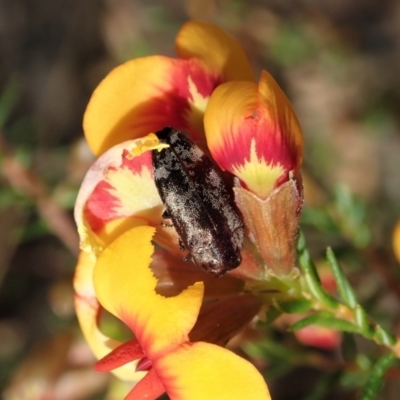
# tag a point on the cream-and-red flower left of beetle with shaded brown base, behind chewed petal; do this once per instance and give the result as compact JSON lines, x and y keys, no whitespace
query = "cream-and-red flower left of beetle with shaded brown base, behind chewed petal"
{"x":118,"y":194}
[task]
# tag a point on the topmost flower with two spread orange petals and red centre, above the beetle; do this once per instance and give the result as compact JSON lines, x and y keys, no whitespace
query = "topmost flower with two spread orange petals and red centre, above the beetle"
{"x":146,"y":94}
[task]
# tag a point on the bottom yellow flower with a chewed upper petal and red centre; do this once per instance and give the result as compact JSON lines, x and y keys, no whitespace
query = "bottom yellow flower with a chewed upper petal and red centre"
{"x":185,"y":370}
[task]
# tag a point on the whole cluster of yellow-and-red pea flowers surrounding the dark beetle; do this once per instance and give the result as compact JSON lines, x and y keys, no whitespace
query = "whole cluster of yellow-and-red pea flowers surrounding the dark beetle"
{"x":179,"y":315}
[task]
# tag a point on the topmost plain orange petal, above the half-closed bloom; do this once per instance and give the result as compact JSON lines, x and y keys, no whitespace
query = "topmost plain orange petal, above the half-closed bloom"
{"x":219,"y":53}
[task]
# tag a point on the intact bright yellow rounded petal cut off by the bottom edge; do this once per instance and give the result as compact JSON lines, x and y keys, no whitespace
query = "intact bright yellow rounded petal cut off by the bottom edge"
{"x":204,"y":371}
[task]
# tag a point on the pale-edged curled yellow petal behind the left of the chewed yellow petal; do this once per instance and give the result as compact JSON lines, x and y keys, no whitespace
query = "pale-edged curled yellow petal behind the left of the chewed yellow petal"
{"x":88,"y":310}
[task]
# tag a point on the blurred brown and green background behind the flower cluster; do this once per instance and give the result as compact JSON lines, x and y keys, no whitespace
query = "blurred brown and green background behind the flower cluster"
{"x":339,"y":63}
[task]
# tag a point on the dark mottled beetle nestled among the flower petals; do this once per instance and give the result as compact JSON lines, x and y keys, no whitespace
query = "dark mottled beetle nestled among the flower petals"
{"x":198,"y":203}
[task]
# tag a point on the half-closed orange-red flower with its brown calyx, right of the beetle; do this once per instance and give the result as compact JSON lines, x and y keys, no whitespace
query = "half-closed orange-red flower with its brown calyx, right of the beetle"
{"x":253,"y":132}
